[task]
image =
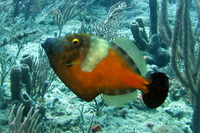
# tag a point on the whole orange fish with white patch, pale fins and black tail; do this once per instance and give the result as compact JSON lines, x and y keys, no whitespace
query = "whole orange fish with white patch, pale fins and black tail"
{"x":90,"y":66}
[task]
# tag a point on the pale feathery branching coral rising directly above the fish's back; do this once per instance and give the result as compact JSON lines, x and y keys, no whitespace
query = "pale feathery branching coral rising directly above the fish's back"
{"x":108,"y":27}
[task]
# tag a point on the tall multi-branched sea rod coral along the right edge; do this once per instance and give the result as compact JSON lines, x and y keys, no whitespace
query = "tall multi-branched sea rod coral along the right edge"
{"x":185,"y":53}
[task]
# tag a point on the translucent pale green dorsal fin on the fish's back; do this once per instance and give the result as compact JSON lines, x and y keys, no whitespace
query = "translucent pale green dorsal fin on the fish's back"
{"x":135,"y":54}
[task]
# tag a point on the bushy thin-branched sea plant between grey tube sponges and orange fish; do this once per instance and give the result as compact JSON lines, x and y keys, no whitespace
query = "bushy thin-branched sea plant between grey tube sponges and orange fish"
{"x":36,"y":74}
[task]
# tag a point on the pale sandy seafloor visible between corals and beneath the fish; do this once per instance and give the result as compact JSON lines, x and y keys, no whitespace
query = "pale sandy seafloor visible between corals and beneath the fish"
{"x":134,"y":117}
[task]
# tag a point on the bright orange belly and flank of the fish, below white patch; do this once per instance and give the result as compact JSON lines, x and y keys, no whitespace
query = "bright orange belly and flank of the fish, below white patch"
{"x":112,"y":74}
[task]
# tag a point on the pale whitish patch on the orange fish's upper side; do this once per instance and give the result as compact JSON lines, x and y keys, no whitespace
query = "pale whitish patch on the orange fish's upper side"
{"x":97,"y":51}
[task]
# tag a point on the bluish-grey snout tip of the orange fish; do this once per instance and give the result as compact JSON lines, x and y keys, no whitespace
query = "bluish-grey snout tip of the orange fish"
{"x":48,"y":45}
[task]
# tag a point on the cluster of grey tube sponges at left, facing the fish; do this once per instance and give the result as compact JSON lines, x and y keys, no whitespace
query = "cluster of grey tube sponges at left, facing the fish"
{"x":22,"y":75}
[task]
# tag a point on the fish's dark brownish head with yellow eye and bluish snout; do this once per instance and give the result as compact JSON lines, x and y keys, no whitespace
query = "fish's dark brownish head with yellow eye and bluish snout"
{"x":65,"y":50}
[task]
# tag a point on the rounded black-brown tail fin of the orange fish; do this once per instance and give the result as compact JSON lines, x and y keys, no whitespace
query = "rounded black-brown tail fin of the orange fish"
{"x":158,"y":90}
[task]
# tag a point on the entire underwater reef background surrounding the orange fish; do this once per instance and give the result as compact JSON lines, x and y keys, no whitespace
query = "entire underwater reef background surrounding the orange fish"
{"x":34,"y":100}
